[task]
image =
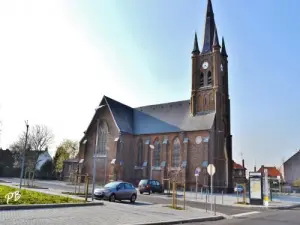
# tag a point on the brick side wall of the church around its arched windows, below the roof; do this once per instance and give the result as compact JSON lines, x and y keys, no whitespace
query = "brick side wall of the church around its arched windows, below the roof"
{"x":196,"y":154}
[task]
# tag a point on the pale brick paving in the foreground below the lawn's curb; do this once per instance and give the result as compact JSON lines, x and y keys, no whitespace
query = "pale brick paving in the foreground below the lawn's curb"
{"x":110,"y":213}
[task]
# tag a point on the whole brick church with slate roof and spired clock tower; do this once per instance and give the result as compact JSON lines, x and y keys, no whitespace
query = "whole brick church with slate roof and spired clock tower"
{"x":169,"y":141}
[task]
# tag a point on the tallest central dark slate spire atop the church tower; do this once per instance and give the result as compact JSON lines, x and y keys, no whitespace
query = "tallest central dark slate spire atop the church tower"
{"x":209,"y":29}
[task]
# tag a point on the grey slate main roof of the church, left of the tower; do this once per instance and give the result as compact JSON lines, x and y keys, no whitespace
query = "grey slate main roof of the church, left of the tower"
{"x":160,"y":118}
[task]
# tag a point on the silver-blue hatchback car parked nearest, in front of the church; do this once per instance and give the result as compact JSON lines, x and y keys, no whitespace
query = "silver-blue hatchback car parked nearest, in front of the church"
{"x":117,"y":190}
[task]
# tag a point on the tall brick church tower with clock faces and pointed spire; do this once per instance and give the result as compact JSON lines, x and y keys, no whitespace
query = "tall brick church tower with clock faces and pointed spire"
{"x":210,"y":94}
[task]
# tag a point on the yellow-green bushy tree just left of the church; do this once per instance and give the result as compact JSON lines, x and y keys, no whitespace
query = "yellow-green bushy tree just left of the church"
{"x":68,"y":149}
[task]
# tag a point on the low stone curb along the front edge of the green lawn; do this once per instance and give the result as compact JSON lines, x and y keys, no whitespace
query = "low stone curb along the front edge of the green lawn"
{"x":46,"y":206}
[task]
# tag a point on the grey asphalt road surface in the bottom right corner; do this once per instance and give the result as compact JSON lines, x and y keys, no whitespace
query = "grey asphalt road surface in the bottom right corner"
{"x":282,"y":217}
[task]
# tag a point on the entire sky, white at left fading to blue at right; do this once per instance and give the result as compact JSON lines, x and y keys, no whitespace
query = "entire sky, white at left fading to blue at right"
{"x":58,"y":58}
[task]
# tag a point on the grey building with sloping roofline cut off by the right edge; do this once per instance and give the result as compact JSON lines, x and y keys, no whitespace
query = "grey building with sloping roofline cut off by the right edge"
{"x":292,"y":168}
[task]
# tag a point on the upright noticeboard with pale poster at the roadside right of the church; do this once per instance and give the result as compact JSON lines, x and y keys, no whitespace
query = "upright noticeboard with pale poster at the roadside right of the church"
{"x":256,"y":188}
